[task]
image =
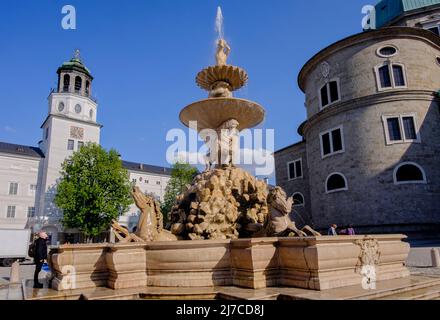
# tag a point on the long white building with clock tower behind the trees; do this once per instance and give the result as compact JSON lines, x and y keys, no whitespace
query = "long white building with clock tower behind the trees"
{"x":29,"y":175}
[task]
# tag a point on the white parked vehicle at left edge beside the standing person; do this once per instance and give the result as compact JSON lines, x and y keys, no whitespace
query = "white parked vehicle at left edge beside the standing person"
{"x":14,"y":245}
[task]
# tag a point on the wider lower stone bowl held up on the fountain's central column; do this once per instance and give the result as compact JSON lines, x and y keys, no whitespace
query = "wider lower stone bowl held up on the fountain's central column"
{"x":213,"y":112}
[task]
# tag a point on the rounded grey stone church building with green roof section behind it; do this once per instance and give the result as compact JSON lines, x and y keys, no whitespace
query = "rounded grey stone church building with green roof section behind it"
{"x":370,"y":149}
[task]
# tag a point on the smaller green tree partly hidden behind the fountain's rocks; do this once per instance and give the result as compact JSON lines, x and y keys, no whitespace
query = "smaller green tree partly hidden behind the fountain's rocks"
{"x":182,"y":174}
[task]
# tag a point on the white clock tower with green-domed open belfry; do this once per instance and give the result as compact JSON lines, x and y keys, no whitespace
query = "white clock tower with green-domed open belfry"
{"x":71,"y":122}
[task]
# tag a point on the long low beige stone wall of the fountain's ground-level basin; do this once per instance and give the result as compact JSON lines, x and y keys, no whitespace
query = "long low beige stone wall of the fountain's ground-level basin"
{"x":317,"y":263}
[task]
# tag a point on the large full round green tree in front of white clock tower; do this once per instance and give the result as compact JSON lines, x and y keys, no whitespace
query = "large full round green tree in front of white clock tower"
{"x":94,"y":189}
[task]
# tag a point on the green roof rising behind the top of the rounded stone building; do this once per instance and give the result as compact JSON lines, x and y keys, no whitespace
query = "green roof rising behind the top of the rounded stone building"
{"x":388,"y":10}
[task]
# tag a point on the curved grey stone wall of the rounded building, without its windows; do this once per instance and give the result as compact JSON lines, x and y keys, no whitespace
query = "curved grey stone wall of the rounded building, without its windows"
{"x":372,"y":200}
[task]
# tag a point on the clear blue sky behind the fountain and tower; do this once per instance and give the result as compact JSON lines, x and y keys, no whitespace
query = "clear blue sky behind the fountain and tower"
{"x":145,"y":54}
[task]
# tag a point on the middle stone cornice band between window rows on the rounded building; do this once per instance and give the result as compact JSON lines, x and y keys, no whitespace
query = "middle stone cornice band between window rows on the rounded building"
{"x":371,"y":100}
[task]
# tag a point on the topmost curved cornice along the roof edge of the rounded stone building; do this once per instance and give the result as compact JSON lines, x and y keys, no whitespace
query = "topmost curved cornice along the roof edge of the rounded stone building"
{"x":376,"y":35}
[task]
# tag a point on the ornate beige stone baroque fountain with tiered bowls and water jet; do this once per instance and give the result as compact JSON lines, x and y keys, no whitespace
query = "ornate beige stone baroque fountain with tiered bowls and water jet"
{"x":238,"y":230}
